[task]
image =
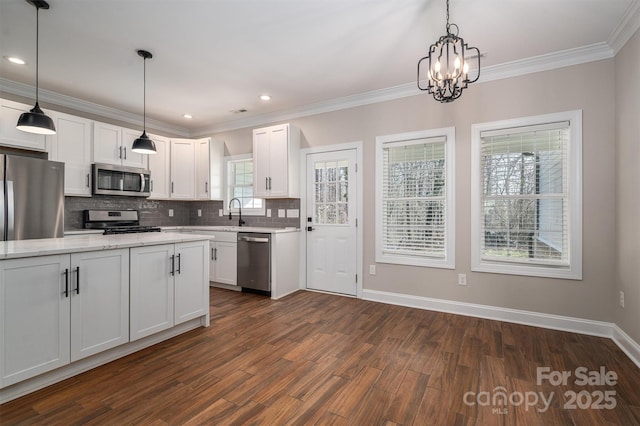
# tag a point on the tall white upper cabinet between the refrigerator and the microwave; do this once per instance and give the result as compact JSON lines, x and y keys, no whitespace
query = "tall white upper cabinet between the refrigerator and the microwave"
{"x":72,"y":145}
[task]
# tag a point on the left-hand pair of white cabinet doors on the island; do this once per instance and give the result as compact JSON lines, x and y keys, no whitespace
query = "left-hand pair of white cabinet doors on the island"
{"x":58,"y":309}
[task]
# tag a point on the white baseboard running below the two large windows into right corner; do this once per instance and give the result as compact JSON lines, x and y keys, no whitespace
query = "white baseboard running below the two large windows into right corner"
{"x":536,"y":319}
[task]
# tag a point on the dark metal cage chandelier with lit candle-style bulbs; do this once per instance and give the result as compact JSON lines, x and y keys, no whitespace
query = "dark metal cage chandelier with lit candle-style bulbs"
{"x":448,"y":65}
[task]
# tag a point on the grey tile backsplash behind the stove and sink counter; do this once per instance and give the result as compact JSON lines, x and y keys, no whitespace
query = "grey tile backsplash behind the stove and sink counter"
{"x":185,"y":213}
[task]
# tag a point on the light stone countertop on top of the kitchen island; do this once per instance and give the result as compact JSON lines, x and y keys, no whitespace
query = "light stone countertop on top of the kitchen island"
{"x":90,"y":242}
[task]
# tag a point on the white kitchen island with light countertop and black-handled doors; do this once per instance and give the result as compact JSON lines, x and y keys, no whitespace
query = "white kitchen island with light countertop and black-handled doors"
{"x":72,"y":304}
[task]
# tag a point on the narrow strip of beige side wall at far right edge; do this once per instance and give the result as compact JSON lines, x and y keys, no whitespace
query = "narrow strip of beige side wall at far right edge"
{"x":628,"y":188}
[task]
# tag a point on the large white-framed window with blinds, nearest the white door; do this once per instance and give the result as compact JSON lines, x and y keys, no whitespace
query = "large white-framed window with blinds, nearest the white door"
{"x":414,"y":203}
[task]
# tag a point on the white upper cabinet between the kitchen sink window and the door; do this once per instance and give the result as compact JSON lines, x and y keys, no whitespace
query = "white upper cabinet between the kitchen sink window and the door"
{"x":276,"y":158}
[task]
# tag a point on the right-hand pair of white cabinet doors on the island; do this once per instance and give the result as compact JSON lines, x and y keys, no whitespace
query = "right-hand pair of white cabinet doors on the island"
{"x":169,"y":285}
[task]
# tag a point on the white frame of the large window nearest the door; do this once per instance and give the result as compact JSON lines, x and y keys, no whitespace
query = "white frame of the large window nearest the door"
{"x":448,"y":261}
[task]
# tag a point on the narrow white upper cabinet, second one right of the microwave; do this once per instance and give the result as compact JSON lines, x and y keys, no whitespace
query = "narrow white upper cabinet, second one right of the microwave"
{"x":183,"y":171}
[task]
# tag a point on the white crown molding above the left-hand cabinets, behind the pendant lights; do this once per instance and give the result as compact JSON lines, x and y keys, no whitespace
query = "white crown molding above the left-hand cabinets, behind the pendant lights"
{"x":27,"y":91}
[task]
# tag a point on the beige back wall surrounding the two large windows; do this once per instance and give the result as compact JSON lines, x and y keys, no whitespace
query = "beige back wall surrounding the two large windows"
{"x":589,"y":87}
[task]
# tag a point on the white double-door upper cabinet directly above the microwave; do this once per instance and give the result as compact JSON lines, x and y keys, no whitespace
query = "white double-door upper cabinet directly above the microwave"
{"x":112,"y":145}
